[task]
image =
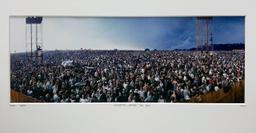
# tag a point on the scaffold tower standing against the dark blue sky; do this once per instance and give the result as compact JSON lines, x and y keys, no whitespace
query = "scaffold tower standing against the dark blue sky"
{"x":204,"y":34}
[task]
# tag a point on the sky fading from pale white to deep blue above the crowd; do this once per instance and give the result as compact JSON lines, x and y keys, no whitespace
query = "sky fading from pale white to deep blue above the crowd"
{"x":129,"y":33}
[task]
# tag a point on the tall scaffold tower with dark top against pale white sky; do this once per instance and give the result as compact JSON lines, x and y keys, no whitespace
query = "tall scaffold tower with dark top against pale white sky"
{"x":34,"y":38}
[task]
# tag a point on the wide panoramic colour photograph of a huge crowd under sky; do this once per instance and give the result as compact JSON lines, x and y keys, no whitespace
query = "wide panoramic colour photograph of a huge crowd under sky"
{"x":195,"y":59}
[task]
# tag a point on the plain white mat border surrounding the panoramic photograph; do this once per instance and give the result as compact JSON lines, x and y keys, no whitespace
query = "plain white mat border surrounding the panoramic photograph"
{"x":151,"y":118}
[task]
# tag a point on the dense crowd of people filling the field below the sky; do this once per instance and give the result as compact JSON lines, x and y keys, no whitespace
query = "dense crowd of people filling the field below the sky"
{"x":125,"y":76}
